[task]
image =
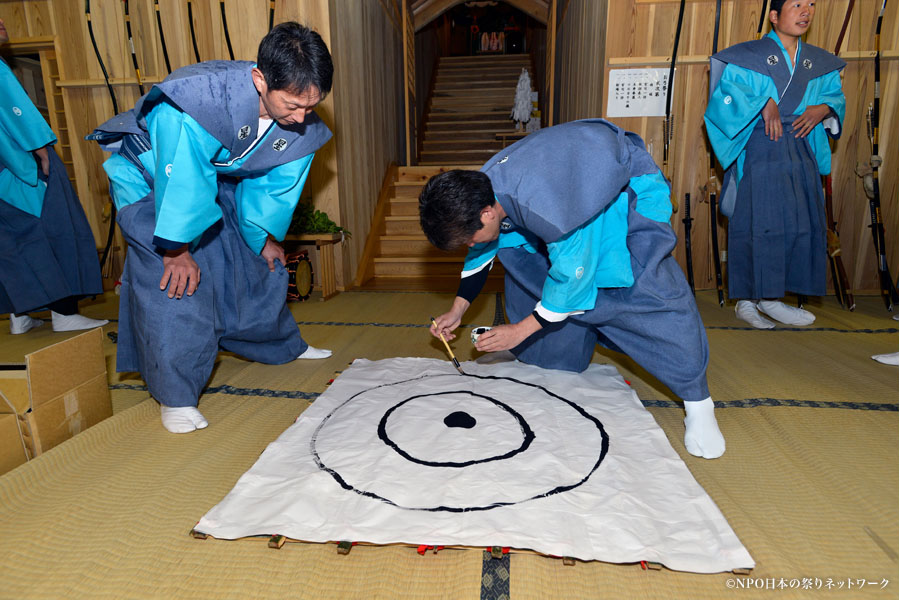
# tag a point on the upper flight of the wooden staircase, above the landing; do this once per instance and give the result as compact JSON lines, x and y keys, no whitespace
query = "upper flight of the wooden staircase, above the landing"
{"x":470,"y":105}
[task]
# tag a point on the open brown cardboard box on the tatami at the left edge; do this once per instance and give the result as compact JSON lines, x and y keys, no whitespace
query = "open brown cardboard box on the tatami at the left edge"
{"x":58,"y":392}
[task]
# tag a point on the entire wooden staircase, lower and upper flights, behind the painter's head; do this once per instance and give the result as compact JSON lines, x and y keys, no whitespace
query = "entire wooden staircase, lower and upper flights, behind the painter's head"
{"x":467,"y":122}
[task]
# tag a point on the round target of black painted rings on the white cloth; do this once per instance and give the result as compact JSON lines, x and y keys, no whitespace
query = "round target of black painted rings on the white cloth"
{"x":435,"y":449}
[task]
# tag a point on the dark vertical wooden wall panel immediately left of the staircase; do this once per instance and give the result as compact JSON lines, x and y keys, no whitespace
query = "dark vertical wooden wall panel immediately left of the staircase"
{"x":367,"y":48}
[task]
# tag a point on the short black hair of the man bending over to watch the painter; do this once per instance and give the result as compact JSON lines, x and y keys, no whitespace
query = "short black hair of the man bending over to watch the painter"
{"x":294,"y":58}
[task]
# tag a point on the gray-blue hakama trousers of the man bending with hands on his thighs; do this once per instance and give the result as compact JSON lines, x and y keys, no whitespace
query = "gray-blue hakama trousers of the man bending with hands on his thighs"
{"x":239,"y":307}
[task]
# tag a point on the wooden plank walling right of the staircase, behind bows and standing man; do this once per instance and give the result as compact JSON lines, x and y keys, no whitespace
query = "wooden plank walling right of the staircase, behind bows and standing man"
{"x":641,"y":34}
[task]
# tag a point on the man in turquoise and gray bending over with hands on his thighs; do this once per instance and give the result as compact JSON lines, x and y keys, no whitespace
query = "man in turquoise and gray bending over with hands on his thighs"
{"x":206,"y":172}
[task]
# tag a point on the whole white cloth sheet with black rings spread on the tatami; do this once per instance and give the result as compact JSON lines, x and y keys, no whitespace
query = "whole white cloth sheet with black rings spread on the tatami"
{"x":408,"y":450}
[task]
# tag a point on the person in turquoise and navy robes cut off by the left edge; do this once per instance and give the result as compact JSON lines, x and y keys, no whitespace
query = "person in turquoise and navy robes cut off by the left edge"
{"x":48,"y":256}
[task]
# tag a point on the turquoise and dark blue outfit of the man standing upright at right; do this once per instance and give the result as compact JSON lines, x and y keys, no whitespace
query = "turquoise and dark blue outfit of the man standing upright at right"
{"x":772,"y":191}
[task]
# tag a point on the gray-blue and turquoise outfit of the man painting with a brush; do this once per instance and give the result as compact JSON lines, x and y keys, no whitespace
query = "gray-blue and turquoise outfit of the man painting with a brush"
{"x":587,"y":245}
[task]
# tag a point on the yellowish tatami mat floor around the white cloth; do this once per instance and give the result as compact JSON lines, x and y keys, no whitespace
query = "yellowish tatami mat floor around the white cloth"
{"x":809,"y":482}
